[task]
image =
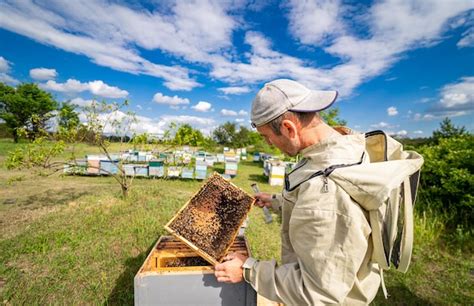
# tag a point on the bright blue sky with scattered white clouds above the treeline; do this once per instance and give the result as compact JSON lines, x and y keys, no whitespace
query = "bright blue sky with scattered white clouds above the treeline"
{"x":400,"y":66}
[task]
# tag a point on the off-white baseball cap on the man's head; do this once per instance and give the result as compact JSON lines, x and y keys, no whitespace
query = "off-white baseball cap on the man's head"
{"x":279,"y":96}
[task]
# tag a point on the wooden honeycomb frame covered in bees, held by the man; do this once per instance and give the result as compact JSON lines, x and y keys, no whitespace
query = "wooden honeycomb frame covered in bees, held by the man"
{"x":210,"y":220}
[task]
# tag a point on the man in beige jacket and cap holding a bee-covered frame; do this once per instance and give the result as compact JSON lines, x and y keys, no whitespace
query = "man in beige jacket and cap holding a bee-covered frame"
{"x":325,"y":235}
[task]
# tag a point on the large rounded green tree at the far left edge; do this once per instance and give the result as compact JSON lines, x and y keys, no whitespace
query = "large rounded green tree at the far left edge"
{"x":26,"y":106}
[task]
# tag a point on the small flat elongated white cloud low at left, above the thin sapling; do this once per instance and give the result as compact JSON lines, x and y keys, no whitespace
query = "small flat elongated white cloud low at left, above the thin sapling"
{"x":98,"y":88}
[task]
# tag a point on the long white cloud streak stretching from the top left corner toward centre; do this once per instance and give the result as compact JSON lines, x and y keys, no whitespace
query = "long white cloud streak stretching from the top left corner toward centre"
{"x":107,"y":32}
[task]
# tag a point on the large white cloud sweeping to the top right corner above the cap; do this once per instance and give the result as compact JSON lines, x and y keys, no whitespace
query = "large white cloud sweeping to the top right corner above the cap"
{"x":393,"y":27}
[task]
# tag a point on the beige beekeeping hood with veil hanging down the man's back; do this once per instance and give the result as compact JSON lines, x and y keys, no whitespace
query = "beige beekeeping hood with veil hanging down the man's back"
{"x":389,"y":203}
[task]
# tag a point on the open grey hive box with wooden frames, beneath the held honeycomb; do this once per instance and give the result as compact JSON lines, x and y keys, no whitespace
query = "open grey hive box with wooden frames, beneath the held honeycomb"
{"x":173,"y":274}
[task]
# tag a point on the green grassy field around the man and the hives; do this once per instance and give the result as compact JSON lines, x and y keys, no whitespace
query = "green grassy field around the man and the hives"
{"x":74,"y":240}
